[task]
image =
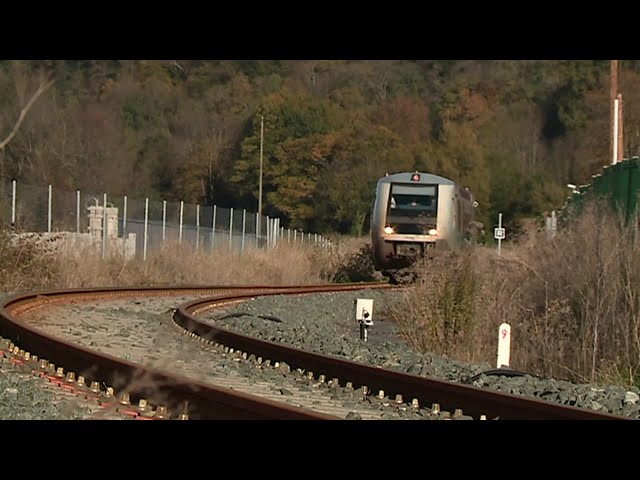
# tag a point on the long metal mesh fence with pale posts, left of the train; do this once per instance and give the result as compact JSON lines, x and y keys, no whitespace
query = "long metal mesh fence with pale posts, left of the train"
{"x":154,"y":223}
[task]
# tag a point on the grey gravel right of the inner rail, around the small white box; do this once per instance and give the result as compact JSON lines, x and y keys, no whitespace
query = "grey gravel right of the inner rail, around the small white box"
{"x":325,"y":323}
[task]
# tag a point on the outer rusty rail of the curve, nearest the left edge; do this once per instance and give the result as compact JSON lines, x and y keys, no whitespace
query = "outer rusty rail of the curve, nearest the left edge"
{"x":203,"y":401}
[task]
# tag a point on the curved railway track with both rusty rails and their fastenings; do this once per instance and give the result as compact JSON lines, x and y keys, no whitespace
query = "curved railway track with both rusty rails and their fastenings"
{"x":316,"y":374}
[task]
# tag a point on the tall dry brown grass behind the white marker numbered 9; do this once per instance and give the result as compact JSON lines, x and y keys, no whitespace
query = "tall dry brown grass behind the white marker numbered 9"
{"x":573,"y":302}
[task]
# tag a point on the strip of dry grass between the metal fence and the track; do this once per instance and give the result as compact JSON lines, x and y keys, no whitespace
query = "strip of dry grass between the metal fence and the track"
{"x":25,"y":267}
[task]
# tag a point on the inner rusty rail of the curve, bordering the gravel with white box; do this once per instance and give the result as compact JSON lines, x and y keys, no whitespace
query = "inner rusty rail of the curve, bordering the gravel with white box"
{"x":474,"y":401}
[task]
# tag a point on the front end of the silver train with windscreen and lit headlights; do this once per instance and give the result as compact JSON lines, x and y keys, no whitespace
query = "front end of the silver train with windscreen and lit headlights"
{"x":410,"y":215}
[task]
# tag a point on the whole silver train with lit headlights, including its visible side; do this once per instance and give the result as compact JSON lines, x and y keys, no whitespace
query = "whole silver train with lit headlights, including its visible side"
{"x":416,"y":211}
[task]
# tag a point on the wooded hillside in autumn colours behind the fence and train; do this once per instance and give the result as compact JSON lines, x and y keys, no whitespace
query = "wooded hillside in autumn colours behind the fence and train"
{"x":514,"y":132}
